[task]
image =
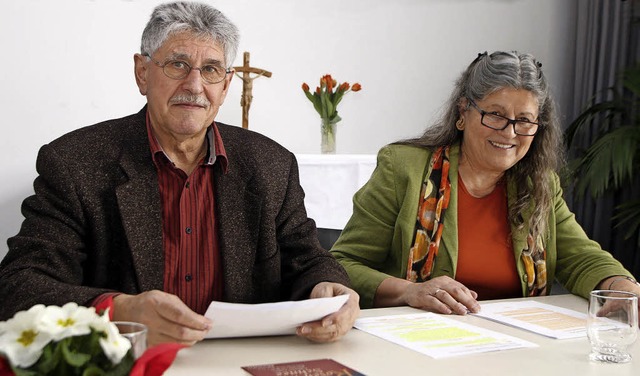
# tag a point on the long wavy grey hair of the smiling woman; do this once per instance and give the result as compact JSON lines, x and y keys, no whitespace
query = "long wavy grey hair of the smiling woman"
{"x":532,"y":174}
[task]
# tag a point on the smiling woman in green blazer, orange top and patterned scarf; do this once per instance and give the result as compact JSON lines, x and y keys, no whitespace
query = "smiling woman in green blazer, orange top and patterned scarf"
{"x":473,"y":209}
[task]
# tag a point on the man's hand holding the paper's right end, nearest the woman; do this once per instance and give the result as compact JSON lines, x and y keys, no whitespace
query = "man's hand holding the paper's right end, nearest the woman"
{"x":332,"y":327}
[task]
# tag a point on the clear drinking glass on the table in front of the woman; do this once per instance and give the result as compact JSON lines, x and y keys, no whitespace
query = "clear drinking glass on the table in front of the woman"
{"x":612,"y":325}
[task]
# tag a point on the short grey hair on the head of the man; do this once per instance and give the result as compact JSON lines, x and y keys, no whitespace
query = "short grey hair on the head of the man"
{"x":200,"y":19}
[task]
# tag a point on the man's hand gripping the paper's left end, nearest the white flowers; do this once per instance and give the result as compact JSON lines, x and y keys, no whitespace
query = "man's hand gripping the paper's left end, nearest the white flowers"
{"x":167,"y":318}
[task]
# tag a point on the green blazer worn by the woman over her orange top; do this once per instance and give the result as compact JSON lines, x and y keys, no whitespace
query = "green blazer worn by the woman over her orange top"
{"x":375,"y":243}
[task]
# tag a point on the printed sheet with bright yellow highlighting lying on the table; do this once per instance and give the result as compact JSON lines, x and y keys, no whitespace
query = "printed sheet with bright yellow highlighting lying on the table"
{"x":438,"y":336}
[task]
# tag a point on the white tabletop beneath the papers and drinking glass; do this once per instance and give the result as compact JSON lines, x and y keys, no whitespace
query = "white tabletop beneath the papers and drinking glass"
{"x":374,"y":356}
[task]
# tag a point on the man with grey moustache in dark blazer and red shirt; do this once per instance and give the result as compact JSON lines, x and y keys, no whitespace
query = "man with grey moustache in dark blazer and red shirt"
{"x":159,"y":213}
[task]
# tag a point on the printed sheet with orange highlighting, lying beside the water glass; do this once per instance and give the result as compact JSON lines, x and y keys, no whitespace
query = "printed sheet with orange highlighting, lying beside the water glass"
{"x":546,"y":319}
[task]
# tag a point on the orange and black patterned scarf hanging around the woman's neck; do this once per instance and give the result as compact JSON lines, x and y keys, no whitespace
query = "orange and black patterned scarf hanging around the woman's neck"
{"x":430,"y":224}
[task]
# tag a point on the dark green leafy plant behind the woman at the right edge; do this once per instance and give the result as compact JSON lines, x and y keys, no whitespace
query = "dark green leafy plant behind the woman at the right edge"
{"x":612,"y":160}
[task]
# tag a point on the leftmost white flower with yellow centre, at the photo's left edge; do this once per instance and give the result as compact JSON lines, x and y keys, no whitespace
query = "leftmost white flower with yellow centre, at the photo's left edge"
{"x":22,"y":339}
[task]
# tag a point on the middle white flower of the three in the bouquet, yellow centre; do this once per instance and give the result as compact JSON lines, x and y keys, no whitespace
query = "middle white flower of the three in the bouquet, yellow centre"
{"x":68,"y":321}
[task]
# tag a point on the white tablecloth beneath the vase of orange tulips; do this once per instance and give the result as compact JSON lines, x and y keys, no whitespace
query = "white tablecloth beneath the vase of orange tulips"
{"x":329,"y":182}
